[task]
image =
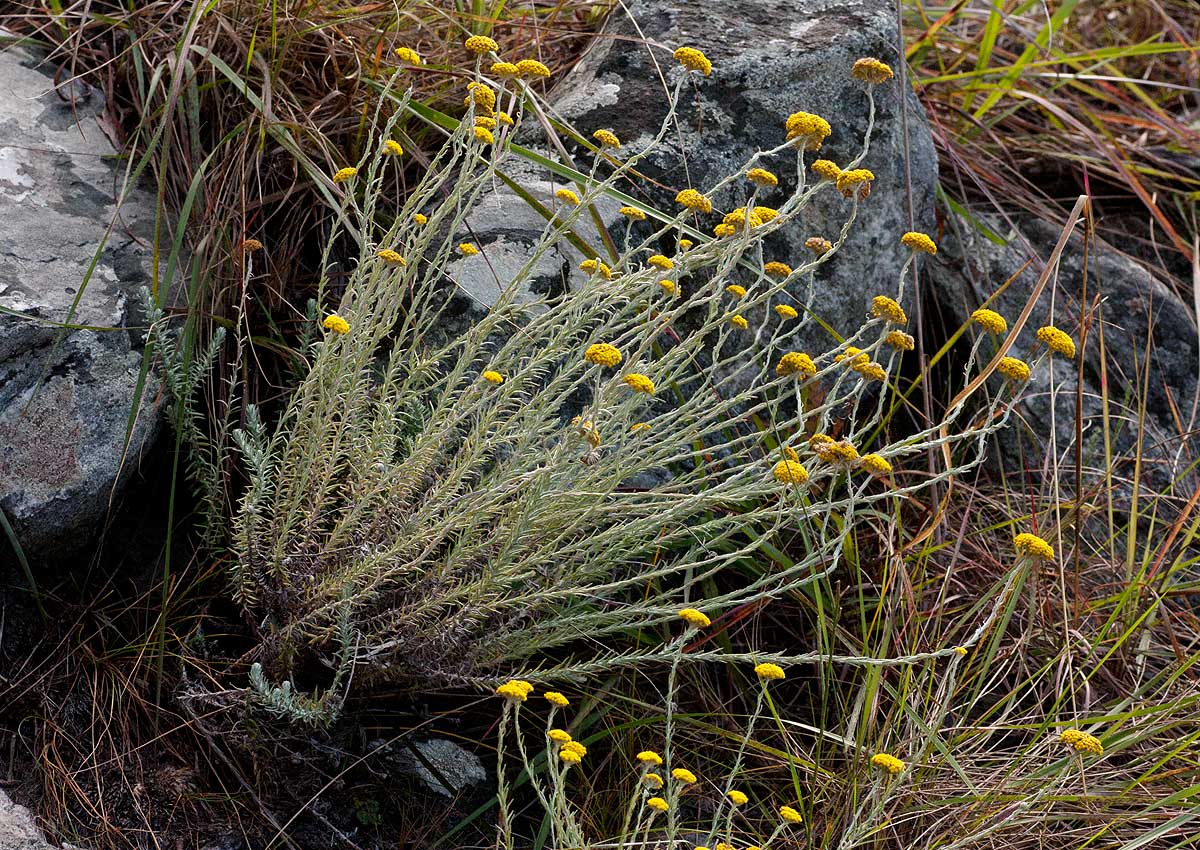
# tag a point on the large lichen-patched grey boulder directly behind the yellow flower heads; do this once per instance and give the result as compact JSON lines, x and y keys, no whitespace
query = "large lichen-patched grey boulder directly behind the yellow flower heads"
{"x":771,"y":58}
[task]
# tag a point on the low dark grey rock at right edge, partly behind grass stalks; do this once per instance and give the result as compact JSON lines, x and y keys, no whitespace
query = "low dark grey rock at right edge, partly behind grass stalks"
{"x":1137,"y":309}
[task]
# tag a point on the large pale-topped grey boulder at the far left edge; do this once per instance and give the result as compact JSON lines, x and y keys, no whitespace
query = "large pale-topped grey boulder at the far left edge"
{"x":65,"y":394}
